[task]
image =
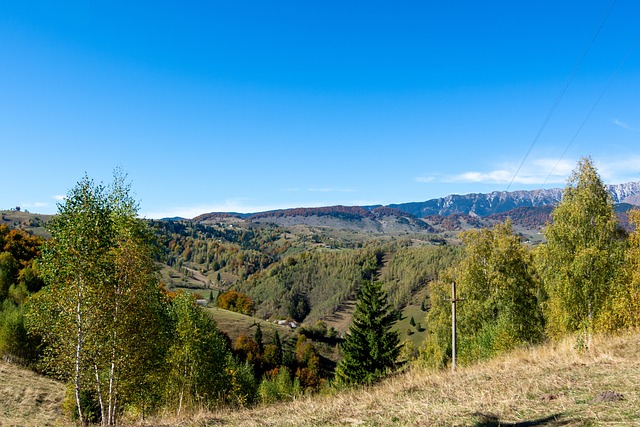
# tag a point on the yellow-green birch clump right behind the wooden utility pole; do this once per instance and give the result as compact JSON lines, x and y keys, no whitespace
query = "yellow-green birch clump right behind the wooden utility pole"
{"x":500,"y":310}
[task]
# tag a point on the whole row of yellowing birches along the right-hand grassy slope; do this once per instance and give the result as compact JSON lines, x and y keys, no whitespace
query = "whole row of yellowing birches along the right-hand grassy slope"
{"x":584,"y":279}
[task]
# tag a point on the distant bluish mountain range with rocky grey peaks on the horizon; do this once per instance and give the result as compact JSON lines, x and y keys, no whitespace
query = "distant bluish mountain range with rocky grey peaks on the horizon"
{"x":531,"y":208}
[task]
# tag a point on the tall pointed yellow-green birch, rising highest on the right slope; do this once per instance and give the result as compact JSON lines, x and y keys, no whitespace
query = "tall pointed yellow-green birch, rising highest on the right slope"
{"x":580,"y":263}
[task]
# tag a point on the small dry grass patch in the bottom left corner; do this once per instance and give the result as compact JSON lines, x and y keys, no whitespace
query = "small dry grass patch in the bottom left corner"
{"x":29,"y":399}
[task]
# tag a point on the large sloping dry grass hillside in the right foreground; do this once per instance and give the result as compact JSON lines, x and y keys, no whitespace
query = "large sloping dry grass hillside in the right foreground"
{"x":549,"y":386}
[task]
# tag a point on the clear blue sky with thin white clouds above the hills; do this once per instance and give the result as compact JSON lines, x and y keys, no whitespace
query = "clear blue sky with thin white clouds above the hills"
{"x":249,"y":106}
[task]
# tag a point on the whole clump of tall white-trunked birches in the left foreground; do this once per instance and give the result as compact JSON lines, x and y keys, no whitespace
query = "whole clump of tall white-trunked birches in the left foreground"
{"x":100,"y":313}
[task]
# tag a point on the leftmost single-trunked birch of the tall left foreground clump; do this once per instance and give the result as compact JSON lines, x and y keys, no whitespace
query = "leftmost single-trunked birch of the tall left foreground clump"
{"x":76,"y":261}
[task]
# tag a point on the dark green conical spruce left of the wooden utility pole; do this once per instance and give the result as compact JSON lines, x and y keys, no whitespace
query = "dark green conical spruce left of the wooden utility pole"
{"x":370,"y":348}
